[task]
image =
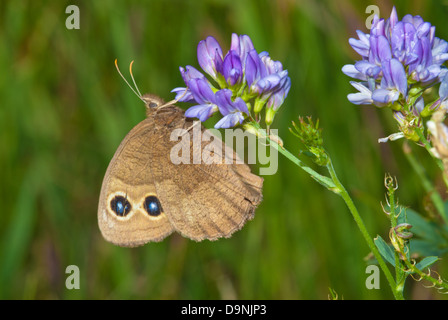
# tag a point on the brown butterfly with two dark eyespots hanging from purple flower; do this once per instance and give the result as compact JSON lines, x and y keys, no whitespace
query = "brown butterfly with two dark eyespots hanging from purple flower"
{"x":145,"y":196}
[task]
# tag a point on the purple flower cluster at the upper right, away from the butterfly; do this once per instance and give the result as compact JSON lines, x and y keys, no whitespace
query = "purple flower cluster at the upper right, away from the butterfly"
{"x":400,"y":59}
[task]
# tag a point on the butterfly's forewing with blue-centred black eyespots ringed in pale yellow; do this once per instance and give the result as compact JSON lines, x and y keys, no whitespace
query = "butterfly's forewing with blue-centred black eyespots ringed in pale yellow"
{"x":123,"y":217}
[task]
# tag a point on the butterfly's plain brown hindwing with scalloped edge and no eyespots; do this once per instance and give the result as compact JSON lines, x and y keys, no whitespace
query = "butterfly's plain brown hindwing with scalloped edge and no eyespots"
{"x":202,"y":201}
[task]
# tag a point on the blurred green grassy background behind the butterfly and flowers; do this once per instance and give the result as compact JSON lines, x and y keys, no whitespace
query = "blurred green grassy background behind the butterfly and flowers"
{"x":64,"y":110}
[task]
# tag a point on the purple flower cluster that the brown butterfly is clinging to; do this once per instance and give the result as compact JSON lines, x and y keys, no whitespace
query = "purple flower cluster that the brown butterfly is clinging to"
{"x":243,"y":77}
